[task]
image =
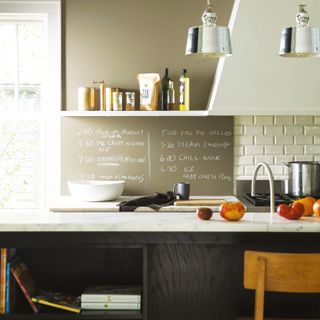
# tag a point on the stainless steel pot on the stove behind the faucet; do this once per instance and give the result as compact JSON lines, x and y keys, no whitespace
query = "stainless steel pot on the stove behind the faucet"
{"x":304,"y":178}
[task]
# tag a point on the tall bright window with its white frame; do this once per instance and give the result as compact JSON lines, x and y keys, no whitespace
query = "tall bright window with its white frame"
{"x":29,"y":103}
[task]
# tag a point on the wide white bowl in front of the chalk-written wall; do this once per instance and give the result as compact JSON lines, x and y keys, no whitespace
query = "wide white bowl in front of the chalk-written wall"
{"x":95,"y":190}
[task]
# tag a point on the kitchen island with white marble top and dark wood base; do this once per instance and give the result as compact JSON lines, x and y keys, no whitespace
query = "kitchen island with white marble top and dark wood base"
{"x":188,"y":268}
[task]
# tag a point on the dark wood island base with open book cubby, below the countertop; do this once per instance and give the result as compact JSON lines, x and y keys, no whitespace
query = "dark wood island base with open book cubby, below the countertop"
{"x":183,"y":275}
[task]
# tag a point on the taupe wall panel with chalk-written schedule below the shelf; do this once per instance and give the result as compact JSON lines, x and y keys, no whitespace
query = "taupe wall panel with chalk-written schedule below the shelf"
{"x":150,"y":154}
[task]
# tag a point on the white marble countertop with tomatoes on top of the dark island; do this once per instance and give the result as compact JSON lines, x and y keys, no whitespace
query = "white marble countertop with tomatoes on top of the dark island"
{"x":150,"y":222}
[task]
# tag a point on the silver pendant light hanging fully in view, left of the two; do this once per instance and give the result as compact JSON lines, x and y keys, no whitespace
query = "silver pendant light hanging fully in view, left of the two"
{"x":209,"y":40}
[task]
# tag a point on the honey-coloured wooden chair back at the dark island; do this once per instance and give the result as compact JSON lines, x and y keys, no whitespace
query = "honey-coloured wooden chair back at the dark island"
{"x":280,"y":272}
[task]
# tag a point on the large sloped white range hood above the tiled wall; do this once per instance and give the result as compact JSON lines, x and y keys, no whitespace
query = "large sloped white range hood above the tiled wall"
{"x":255,"y":80}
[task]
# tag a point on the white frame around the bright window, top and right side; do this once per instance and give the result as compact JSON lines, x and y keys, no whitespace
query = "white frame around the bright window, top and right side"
{"x":50,"y":13}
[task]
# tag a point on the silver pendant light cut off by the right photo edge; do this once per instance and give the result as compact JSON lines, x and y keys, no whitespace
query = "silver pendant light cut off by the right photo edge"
{"x":301,"y":41}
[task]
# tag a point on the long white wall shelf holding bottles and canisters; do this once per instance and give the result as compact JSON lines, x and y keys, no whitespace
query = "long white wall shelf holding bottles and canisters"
{"x":193,"y":113}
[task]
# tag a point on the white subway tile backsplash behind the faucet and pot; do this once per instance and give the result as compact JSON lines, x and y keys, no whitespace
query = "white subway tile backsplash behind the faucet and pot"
{"x":273,"y":139}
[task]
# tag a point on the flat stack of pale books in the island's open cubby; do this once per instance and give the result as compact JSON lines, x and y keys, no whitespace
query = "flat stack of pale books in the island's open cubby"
{"x":107,"y":297}
